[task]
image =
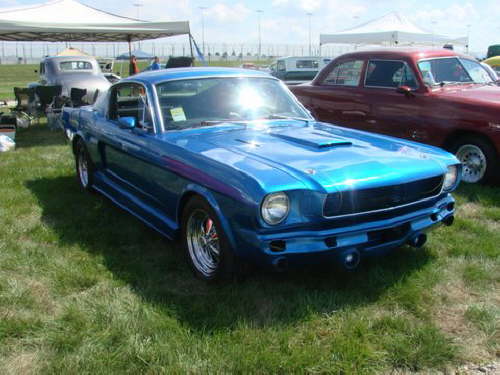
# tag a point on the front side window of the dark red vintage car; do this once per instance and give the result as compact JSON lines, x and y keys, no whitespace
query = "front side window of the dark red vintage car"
{"x":386,"y":73}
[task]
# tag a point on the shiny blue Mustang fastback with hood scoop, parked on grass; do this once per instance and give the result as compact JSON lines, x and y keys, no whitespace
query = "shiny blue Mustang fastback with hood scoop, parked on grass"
{"x":229,"y":161}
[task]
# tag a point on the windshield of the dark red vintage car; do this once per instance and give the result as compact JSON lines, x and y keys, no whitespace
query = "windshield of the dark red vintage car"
{"x":452,"y":70}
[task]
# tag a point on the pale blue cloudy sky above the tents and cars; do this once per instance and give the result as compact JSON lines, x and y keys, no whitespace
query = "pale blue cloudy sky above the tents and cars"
{"x":286,"y":22}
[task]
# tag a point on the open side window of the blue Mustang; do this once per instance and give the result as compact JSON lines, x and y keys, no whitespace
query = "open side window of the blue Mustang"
{"x":130,"y":100}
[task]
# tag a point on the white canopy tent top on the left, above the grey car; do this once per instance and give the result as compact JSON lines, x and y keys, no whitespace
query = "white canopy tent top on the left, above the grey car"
{"x":69,"y":20}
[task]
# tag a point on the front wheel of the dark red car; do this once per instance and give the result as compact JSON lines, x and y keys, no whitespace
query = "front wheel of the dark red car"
{"x":478,"y":158}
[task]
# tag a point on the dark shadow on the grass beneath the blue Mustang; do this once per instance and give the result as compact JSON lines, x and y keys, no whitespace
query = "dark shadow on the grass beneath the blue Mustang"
{"x":156,"y":270}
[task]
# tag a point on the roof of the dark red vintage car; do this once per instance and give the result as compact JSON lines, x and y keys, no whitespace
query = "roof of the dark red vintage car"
{"x":408,"y":53}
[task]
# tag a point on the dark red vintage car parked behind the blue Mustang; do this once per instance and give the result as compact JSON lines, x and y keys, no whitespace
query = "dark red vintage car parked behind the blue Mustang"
{"x":432,"y":96}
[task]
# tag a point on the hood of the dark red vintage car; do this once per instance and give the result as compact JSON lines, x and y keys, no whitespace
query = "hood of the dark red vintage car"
{"x":471,"y":93}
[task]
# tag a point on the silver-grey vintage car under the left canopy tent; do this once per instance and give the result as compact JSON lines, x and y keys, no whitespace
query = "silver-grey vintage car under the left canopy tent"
{"x":82,"y":72}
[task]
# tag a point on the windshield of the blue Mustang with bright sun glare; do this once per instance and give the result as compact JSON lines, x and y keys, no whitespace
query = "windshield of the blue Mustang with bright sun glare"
{"x":206,"y":101}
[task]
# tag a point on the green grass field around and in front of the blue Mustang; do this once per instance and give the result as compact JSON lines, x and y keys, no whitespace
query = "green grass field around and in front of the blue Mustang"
{"x":86,"y":288}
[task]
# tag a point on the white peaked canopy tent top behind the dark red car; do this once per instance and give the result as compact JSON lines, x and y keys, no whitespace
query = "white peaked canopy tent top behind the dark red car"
{"x":391,"y":29}
